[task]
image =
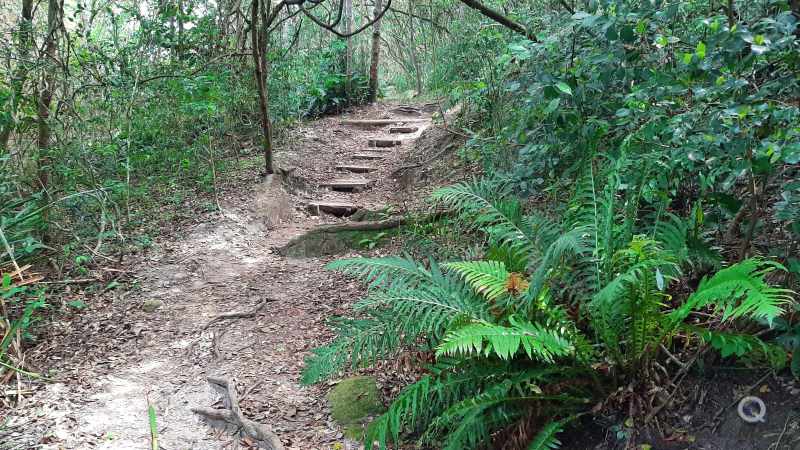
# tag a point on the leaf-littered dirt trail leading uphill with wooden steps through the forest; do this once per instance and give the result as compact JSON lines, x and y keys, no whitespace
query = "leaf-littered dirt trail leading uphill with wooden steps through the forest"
{"x":113,"y":357}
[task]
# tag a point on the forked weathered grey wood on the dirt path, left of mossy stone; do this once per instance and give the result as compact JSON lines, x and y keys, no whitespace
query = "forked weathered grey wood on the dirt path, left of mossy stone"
{"x":232,"y":415}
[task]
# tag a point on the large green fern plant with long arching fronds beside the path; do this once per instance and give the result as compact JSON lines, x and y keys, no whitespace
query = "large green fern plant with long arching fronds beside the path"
{"x":508,"y":350}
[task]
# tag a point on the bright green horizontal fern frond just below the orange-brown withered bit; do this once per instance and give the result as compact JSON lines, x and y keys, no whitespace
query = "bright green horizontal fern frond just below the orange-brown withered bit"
{"x":487,"y":338}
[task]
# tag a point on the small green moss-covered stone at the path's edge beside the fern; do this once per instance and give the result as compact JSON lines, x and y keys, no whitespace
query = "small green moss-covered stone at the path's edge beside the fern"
{"x":355,"y":402}
